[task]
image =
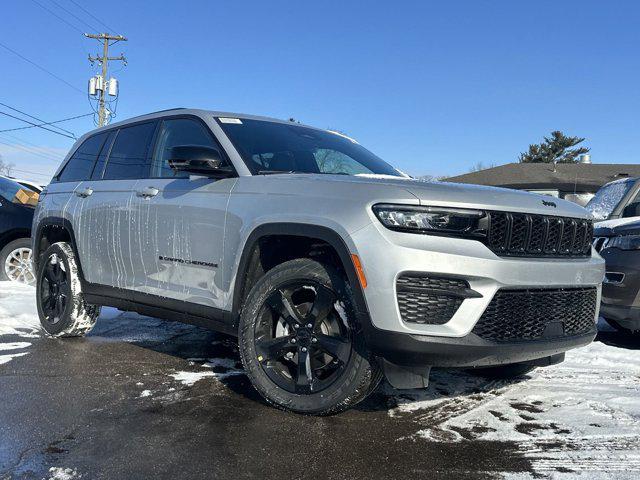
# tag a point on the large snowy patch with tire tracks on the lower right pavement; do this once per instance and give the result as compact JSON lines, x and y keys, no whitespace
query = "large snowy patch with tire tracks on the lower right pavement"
{"x":582,"y":415}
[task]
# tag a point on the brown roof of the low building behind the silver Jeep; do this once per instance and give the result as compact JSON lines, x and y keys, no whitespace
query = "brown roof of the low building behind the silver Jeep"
{"x":567,"y":177}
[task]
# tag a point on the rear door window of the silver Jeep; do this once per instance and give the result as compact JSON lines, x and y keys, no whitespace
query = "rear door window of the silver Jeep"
{"x":128,"y":157}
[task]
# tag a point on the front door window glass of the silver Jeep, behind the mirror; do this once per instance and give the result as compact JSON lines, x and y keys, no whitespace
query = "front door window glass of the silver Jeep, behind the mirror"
{"x":175,"y":132}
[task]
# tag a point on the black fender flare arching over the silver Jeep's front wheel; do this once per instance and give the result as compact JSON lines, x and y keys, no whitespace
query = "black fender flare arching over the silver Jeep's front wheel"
{"x":300,"y":230}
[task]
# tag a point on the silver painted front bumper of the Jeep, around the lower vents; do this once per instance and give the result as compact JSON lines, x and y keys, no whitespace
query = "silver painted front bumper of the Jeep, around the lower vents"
{"x":386,"y":254}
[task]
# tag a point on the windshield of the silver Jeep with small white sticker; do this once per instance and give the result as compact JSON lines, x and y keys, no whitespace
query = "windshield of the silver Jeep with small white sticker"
{"x":271,"y":147}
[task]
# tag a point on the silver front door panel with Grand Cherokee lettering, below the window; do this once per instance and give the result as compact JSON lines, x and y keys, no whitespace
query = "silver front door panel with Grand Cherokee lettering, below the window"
{"x":182,"y":243}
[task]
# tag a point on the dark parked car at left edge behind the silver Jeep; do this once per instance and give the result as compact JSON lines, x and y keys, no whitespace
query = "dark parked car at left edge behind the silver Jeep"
{"x":15,"y":234}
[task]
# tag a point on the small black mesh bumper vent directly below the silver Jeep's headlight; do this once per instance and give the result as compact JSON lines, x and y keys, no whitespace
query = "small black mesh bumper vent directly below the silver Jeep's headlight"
{"x":429,"y":300}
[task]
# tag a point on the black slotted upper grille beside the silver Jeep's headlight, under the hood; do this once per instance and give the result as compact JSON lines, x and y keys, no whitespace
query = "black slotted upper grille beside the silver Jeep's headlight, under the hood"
{"x":517,"y":234}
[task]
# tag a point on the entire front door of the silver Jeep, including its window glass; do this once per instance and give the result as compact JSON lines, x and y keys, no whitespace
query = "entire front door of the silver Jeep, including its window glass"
{"x":182,"y":246}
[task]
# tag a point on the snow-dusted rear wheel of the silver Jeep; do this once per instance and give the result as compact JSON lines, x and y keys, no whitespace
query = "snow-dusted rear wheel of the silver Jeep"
{"x":61,"y":306}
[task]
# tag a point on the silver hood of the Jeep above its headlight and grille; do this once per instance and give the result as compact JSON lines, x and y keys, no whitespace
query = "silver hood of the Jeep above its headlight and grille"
{"x":469,"y":196}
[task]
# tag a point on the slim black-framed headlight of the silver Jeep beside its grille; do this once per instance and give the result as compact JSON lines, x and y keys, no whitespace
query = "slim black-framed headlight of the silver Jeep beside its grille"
{"x":435,"y":220}
